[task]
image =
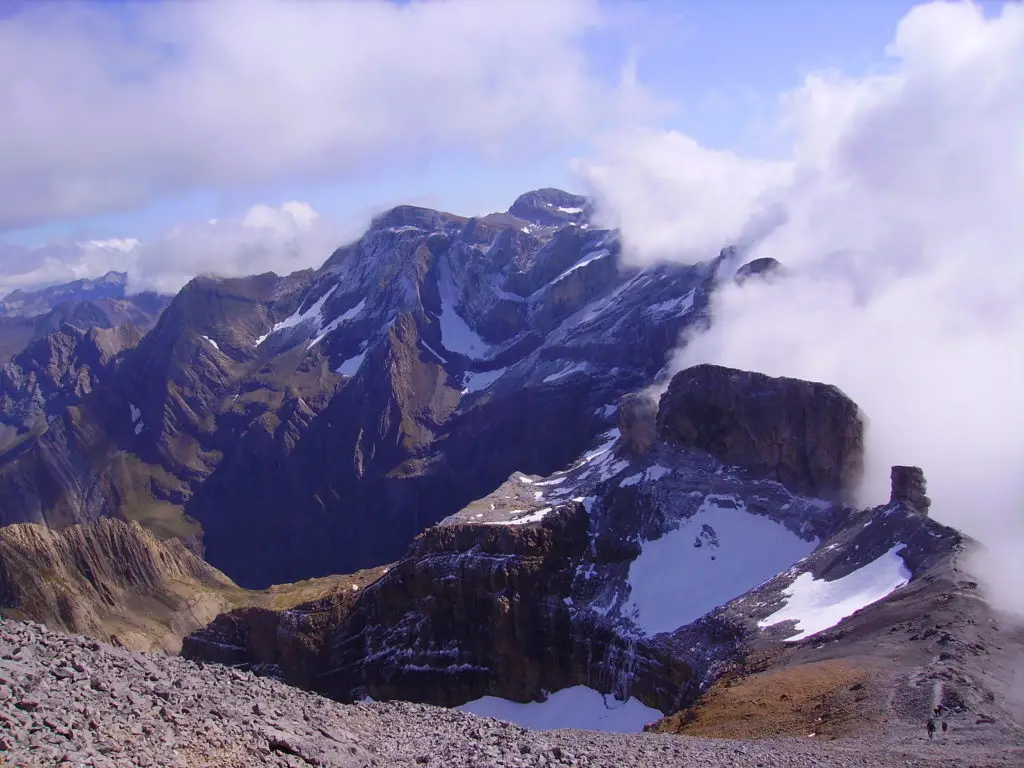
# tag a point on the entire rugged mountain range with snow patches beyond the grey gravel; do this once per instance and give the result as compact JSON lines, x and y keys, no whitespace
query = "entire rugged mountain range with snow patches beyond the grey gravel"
{"x":452,"y":466}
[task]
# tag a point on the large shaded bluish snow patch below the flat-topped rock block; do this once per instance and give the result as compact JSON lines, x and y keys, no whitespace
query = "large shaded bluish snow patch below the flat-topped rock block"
{"x":718,"y":554}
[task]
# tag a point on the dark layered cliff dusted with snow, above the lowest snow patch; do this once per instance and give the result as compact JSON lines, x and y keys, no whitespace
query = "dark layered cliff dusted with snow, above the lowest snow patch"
{"x":472,"y":611}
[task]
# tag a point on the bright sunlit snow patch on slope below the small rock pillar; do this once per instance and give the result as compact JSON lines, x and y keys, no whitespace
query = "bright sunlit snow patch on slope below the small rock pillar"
{"x":818,"y":606}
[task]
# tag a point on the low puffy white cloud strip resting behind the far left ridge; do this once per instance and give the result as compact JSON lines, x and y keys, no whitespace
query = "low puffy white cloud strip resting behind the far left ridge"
{"x":282,"y":239}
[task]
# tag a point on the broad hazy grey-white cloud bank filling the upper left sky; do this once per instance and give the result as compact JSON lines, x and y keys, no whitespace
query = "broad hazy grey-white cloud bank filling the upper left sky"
{"x":109,"y":106}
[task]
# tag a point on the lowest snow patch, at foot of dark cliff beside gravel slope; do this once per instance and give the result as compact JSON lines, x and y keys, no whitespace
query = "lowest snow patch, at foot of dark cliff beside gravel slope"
{"x":579,"y":708}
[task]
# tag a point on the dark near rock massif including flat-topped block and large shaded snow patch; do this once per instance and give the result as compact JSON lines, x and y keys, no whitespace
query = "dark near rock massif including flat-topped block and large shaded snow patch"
{"x":643,"y":569}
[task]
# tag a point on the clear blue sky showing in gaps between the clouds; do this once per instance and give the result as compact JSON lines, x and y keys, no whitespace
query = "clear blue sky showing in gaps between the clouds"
{"x":722,"y":65}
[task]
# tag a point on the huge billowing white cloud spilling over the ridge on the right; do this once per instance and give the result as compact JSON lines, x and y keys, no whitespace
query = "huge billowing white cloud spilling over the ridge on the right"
{"x":899,"y":218}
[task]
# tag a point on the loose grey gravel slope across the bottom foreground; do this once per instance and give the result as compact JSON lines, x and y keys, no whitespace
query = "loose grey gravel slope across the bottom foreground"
{"x":72,"y":702}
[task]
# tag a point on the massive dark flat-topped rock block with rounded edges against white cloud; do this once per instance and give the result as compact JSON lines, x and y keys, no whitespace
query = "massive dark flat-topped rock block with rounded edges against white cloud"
{"x":806,"y":436}
